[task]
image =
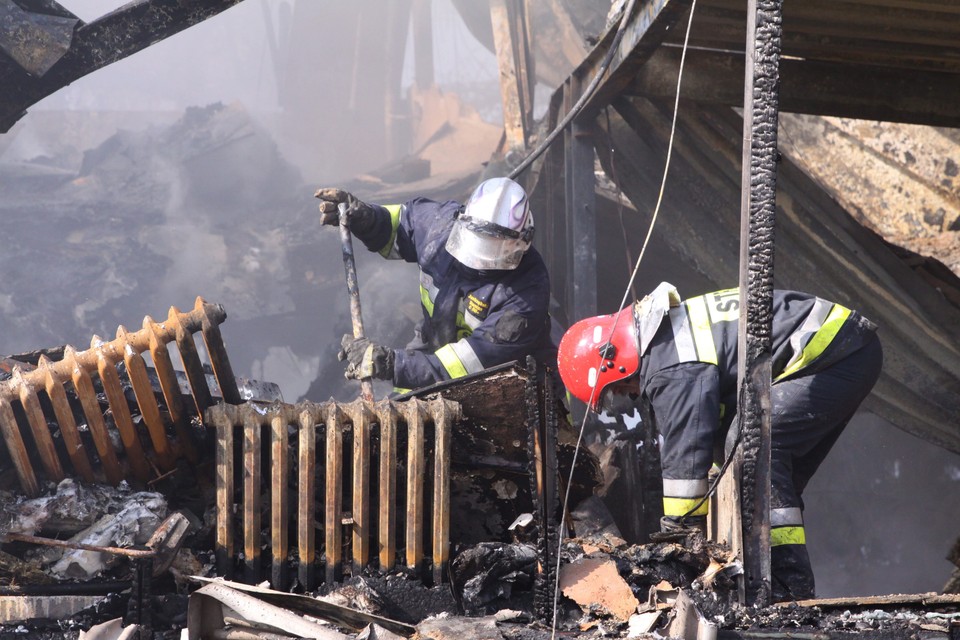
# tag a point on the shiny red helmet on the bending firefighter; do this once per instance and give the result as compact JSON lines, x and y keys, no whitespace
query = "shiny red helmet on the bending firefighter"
{"x":596,"y":352}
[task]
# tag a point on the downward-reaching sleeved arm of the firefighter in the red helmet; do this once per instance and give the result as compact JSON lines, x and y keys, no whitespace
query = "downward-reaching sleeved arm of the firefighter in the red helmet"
{"x":686,"y":405}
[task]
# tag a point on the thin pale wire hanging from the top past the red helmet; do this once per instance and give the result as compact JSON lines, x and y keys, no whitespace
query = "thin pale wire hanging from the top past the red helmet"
{"x":626,"y":294}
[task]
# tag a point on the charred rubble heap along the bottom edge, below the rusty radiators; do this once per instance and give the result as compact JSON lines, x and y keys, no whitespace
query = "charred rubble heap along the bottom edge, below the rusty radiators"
{"x":606,"y":588}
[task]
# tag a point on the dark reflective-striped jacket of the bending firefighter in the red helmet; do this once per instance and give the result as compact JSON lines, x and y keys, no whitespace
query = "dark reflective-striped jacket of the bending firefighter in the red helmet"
{"x":688,"y":375}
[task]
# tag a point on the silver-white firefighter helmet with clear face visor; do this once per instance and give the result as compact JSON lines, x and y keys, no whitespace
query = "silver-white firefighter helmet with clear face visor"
{"x":495,"y":229}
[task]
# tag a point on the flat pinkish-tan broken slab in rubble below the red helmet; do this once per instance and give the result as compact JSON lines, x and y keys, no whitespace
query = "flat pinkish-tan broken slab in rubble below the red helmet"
{"x":595,"y":584}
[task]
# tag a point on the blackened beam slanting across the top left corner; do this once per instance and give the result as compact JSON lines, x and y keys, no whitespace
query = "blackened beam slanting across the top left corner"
{"x":114,"y":36}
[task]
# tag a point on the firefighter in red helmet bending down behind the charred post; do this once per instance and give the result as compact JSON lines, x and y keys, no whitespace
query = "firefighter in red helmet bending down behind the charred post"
{"x":679,"y":357}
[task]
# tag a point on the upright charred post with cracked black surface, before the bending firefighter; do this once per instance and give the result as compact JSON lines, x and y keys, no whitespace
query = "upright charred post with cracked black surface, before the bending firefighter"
{"x":758,"y":202}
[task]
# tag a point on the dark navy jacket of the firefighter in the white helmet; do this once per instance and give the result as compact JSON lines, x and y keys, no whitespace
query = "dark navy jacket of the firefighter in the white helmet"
{"x":472,"y":320}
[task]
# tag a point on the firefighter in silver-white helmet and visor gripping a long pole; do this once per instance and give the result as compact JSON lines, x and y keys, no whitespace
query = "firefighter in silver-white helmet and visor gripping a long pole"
{"x":484,"y":290}
